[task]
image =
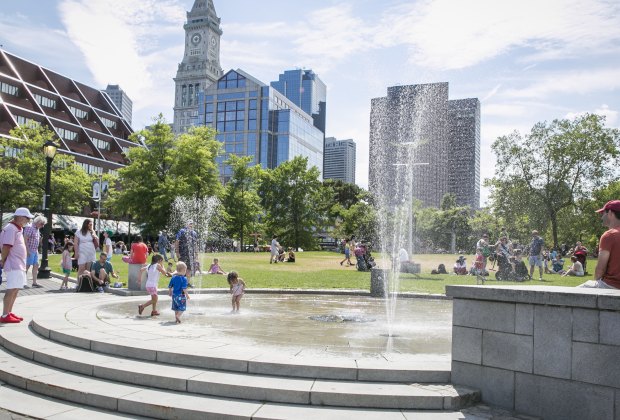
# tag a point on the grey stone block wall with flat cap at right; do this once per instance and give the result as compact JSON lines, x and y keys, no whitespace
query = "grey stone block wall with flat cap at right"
{"x":551,"y":352}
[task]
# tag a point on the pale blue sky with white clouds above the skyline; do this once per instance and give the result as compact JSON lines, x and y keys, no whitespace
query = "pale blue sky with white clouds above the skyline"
{"x":526,"y":60}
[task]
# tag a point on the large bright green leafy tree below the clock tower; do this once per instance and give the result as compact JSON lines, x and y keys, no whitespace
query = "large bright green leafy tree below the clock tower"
{"x":167,"y":168}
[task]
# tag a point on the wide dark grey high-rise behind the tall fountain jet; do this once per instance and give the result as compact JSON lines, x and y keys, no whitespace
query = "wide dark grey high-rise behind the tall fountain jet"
{"x":414,"y":132}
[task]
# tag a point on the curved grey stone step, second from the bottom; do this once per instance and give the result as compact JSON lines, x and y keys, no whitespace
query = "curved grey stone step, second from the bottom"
{"x":142,"y":401}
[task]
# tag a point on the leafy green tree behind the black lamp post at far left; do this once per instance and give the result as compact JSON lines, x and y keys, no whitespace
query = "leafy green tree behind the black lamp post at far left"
{"x":22,"y":176}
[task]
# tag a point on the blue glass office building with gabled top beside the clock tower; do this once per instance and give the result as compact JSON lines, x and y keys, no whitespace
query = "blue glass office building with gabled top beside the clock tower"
{"x":254,"y":119}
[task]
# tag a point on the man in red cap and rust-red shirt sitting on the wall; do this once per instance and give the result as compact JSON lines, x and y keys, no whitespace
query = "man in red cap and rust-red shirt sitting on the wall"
{"x":607,"y":272}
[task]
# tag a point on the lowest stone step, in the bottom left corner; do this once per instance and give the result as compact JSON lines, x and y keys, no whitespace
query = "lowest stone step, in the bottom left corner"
{"x":33,"y":405}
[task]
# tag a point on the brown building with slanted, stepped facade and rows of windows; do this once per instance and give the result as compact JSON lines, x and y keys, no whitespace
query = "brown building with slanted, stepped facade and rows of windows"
{"x":88,"y":125}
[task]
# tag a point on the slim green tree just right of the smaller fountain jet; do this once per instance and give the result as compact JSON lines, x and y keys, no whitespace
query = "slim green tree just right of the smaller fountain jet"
{"x":241,"y":200}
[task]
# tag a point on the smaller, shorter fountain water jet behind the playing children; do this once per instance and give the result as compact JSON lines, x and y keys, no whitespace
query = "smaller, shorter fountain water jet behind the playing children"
{"x":200,"y":211}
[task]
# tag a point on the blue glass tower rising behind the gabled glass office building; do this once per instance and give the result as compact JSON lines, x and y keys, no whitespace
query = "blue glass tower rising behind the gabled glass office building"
{"x":307,"y":91}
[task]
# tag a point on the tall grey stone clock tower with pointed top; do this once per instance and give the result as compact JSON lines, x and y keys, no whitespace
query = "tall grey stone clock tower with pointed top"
{"x":201,"y":62}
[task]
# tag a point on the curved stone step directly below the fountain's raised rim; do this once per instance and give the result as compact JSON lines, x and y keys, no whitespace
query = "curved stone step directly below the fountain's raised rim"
{"x":247,"y":386}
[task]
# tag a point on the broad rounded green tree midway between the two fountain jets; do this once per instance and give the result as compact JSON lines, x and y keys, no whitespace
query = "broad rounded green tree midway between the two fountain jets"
{"x":292,"y":198}
